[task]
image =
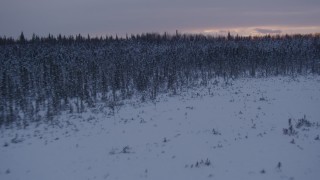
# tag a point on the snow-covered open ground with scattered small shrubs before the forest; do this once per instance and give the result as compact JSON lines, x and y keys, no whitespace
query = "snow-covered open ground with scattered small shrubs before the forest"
{"x":235,"y":131}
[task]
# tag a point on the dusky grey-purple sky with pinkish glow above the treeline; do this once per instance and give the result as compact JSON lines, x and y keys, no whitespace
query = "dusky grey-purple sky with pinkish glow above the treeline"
{"x":121,"y":17}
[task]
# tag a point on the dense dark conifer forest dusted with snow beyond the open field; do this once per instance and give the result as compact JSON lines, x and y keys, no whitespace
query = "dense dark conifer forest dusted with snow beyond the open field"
{"x":43,"y":76}
